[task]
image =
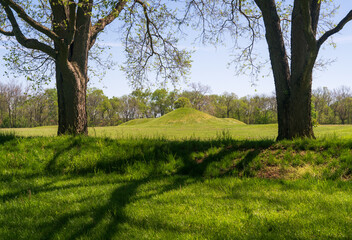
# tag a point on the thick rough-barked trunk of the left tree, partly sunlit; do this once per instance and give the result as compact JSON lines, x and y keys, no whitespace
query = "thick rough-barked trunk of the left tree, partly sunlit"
{"x":72,"y":68}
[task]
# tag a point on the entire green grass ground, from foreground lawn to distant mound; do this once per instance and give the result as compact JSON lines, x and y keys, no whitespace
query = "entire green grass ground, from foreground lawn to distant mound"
{"x":176,"y":182}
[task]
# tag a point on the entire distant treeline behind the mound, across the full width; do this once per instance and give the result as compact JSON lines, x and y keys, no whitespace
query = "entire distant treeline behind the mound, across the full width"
{"x":20,"y":108}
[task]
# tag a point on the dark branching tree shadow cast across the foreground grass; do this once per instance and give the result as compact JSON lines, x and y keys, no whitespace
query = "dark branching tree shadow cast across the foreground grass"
{"x":148,"y":153}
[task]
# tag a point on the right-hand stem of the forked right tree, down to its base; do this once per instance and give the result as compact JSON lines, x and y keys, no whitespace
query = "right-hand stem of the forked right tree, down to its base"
{"x":303,"y":56}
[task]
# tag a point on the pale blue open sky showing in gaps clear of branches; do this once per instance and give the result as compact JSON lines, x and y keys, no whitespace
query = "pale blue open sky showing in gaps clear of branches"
{"x":210,"y":67}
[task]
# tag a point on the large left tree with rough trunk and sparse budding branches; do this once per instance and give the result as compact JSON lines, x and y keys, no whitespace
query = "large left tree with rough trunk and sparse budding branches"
{"x":64,"y":31}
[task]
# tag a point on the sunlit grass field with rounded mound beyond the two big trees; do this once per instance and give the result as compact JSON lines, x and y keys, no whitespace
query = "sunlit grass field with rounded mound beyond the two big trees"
{"x":186,"y":124}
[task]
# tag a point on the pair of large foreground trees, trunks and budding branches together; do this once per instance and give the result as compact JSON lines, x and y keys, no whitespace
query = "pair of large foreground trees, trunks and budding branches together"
{"x":64,"y":32}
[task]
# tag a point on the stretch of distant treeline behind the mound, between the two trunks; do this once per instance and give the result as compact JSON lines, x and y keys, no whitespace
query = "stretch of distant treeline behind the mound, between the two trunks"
{"x":150,"y":104}
